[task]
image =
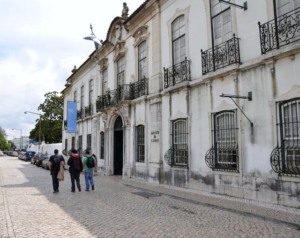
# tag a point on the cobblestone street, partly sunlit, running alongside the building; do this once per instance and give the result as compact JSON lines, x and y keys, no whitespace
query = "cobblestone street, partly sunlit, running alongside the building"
{"x":28,"y":208}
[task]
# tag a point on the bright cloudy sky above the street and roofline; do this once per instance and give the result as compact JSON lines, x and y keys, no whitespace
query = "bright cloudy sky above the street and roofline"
{"x":40,"y":42}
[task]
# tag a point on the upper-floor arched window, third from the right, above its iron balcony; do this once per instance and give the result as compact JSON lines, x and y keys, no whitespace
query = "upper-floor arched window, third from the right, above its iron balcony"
{"x":178,"y":40}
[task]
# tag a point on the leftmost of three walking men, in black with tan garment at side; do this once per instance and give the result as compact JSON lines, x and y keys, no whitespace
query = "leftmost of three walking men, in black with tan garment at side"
{"x":56,"y":161}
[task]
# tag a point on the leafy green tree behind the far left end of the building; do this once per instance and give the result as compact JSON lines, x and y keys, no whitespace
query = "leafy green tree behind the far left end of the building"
{"x":51,"y":119}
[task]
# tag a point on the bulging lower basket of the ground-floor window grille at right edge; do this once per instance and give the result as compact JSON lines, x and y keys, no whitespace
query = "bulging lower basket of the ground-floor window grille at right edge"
{"x":286,"y":161}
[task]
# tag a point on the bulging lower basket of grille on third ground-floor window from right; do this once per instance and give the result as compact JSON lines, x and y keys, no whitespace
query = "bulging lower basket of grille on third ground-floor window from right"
{"x":177,"y":157}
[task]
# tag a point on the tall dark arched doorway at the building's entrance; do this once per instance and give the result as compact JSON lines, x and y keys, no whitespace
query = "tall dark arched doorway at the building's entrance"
{"x":118,"y":146}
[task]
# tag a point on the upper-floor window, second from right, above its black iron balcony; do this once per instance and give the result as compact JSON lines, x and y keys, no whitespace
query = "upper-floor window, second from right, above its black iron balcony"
{"x":221,"y":22}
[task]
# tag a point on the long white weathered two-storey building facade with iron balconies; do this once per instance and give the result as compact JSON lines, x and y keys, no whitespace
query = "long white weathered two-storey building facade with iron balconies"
{"x":202,"y":95}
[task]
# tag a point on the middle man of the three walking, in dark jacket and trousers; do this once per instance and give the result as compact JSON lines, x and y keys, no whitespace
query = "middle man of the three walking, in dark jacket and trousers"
{"x":75,"y":168}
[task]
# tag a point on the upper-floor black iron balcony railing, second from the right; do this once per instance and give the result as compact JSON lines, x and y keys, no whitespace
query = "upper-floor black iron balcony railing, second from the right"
{"x":220,"y":56}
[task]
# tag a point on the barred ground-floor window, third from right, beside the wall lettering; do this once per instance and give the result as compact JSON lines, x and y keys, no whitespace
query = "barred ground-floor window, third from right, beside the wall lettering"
{"x":180,"y":142}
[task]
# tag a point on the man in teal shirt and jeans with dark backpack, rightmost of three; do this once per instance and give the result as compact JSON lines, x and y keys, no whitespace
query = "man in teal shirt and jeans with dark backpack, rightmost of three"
{"x":89,"y":163}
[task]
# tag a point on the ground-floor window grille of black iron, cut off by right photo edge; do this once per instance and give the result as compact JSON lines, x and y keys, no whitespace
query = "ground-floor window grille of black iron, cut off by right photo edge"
{"x":285,"y":157}
